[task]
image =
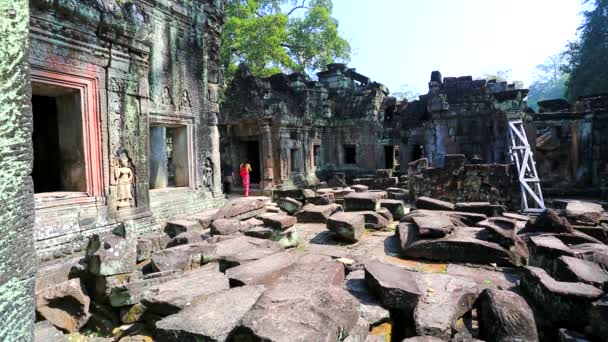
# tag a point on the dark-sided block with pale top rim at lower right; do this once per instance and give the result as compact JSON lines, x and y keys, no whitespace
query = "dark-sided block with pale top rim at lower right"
{"x":558,"y":300}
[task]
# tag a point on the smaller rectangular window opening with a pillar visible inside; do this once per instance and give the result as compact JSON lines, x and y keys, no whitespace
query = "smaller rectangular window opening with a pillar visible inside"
{"x":169,"y":157}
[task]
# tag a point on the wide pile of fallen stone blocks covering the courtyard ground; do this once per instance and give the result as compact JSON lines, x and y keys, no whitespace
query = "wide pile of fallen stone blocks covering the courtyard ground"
{"x":233,"y":274}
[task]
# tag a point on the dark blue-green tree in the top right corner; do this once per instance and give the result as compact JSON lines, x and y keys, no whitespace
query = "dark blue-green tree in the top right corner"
{"x":588,"y":57}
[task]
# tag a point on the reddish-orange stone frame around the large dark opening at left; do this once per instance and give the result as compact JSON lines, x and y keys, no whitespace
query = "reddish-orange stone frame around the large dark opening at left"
{"x":91,"y":123}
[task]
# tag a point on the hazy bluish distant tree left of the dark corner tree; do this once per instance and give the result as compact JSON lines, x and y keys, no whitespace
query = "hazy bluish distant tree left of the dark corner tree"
{"x":549,"y":81}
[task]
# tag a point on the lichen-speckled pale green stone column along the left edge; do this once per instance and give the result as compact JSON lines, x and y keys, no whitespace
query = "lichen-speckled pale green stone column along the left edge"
{"x":17,"y":255}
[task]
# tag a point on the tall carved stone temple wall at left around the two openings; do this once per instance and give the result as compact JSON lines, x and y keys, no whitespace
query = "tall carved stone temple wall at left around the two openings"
{"x":151,"y":63}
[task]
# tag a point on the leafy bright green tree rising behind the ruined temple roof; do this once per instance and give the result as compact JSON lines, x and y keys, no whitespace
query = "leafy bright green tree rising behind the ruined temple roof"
{"x":271,"y":36}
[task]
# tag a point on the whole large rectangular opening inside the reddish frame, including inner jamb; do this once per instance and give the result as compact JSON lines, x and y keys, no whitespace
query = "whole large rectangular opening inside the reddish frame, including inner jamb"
{"x":59,"y":156}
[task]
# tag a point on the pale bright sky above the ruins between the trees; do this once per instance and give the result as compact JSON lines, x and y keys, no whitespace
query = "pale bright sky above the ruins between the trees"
{"x":398,"y":42}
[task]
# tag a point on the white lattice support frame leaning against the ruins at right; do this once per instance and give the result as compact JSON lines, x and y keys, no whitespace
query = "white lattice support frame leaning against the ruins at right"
{"x":521,"y":155}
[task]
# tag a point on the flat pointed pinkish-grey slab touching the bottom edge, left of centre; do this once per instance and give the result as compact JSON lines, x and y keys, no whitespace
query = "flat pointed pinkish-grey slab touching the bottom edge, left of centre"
{"x":209,"y":318}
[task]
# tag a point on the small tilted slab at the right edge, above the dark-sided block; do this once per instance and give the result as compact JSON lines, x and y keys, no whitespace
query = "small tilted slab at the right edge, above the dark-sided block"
{"x":577,"y":270}
